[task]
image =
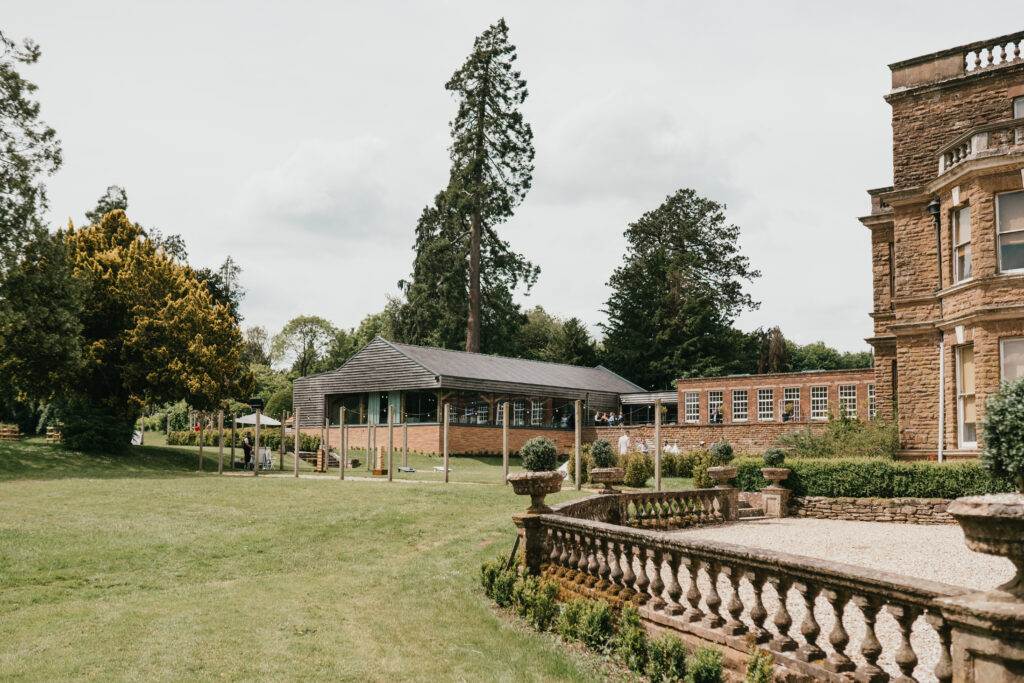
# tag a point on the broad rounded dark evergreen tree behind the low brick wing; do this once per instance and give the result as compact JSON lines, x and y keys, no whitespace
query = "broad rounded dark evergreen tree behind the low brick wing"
{"x":677,"y":293}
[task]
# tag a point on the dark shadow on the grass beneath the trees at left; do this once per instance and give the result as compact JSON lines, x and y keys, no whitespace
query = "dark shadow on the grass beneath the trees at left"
{"x":35,"y":460}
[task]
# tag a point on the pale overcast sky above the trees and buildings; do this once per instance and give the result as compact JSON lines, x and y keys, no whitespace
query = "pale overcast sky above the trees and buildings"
{"x":304,"y":139}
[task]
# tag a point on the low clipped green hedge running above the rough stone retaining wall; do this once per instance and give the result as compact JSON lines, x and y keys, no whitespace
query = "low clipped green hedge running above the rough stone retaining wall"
{"x":876,"y":478}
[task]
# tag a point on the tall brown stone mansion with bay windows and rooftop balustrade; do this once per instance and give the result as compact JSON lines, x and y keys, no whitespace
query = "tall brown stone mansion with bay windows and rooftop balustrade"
{"x":948,"y":244}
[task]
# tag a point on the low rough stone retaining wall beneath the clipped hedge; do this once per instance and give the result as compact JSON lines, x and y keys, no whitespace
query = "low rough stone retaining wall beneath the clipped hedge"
{"x":899,"y":510}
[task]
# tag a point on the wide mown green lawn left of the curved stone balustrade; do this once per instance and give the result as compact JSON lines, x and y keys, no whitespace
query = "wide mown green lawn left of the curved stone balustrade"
{"x":140,"y":568}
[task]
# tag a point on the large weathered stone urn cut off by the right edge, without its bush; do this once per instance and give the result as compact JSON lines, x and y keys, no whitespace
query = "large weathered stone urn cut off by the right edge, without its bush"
{"x":995,"y":525}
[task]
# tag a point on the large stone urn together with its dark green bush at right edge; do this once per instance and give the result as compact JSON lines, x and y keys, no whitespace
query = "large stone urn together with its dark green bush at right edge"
{"x":995,"y":524}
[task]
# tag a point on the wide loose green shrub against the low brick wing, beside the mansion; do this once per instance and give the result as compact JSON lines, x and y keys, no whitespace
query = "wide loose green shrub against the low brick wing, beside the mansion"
{"x":844,"y":438}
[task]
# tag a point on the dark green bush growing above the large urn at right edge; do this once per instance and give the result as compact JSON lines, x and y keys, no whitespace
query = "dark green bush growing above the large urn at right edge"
{"x":1003,"y":431}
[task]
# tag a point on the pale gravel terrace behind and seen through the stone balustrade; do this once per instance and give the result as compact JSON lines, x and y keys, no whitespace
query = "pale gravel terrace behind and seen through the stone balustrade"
{"x":936,"y":553}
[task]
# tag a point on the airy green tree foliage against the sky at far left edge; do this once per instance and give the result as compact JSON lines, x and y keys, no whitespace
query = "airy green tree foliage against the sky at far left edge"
{"x":29,"y":151}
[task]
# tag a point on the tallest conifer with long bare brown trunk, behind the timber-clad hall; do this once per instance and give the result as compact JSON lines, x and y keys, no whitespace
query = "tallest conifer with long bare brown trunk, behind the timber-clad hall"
{"x":492,"y":154}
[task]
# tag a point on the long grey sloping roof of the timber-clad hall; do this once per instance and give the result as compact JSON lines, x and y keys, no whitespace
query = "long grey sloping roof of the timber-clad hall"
{"x":446,"y":363}
